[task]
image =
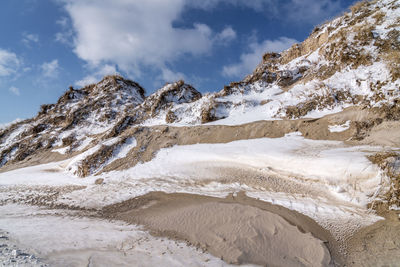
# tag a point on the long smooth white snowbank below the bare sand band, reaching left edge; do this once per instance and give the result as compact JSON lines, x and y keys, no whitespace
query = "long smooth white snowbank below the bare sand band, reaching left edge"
{"x":336,"y":172}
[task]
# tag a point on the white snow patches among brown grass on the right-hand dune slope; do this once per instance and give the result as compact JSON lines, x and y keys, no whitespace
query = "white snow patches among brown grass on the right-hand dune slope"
{"x":262,"y":101}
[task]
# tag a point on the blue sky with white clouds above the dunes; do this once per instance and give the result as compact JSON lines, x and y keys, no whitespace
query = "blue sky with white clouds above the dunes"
{"x":48,"y":45}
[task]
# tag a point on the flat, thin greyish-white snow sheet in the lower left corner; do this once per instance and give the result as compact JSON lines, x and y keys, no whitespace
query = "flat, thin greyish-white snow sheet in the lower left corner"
{"x":70,"y":240}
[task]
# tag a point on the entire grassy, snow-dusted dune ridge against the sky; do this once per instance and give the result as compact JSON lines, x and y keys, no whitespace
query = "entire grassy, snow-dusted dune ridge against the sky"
{"x":350,"y":61}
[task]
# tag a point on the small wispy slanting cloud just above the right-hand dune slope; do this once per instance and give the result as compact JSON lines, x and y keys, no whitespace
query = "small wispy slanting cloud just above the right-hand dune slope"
{"x":248,"y":61}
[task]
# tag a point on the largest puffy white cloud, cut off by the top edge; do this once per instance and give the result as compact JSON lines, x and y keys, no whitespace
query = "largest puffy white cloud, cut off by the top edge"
{"x":136,"y":34}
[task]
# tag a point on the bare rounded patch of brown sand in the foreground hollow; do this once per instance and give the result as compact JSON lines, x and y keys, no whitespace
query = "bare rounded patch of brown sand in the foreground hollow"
{"x":238,"y":229}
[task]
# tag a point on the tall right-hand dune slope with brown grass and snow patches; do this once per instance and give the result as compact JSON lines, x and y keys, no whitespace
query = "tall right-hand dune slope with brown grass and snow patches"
{"x":350,"y":61}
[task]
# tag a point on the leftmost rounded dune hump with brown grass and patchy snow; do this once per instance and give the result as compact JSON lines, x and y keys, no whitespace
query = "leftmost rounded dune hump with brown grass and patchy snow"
{"x":72,"y":121}
